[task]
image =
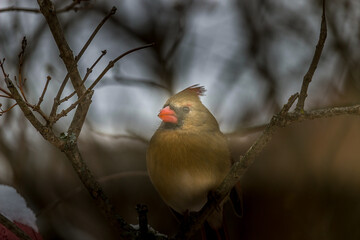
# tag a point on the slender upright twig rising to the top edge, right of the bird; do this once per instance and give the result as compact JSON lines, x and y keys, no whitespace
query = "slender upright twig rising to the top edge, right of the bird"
{"x":308,"y":76}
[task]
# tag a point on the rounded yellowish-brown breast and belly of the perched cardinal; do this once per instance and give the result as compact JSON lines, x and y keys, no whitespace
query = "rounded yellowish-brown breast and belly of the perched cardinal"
{"x":185,"y":167}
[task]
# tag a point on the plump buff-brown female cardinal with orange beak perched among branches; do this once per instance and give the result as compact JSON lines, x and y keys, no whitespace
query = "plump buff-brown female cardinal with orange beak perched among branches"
{"x":188,"y":156}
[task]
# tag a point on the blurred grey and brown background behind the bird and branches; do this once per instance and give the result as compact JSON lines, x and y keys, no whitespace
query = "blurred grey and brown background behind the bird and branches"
{"x":250,"y":55}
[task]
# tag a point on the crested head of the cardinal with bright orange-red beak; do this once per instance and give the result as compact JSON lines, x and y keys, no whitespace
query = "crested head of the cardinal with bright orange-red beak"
{"x":185,"y":111}
